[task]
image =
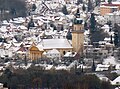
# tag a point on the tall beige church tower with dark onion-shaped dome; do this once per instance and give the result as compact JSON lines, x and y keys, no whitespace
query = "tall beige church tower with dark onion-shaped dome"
{"x":78,"y":33}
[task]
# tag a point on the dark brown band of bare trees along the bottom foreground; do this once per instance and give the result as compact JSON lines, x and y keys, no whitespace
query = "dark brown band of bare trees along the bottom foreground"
{"x":37,"y":78}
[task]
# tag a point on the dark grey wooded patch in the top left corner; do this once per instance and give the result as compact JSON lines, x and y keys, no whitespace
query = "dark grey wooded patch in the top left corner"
{"x":12,"y":8}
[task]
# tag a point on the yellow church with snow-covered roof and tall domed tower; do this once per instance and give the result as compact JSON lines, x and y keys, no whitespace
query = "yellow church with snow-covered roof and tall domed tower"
{"x":63,"y":45}
